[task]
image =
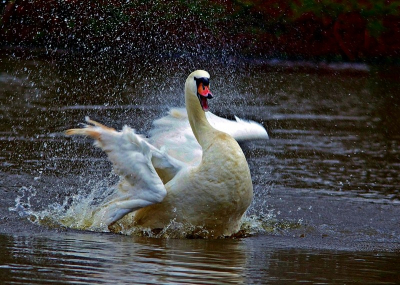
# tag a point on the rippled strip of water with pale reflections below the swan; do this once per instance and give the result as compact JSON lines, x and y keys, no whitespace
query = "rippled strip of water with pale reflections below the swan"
{"x":93,"y":258}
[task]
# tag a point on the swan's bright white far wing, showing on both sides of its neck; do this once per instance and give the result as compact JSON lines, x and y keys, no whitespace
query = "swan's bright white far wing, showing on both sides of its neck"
{"x":173,"y":132}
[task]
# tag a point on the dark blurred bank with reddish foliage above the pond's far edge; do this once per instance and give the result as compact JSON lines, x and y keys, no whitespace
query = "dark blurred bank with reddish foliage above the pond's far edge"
{"x":335,"y":30}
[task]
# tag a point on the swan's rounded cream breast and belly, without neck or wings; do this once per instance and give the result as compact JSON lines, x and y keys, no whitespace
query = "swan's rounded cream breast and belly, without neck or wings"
{"x":212,"y":196}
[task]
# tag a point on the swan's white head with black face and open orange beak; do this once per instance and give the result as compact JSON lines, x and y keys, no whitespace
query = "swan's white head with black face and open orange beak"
{"x":199,"y":83}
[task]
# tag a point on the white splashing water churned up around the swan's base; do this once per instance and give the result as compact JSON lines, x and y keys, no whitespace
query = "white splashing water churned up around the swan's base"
{"x":77,"y":211}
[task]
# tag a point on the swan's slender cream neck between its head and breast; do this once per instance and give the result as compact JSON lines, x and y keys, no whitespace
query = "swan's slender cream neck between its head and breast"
{"x":197,"y":118}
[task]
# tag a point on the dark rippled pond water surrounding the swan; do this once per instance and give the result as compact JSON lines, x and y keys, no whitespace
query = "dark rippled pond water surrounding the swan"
{"x":327,"y":197}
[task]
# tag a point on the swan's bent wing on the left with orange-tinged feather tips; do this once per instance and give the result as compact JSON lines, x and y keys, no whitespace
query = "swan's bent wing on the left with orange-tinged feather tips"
{"x":131,"y":156}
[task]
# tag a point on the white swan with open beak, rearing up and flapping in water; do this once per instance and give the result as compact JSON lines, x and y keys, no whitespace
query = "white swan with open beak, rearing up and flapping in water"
{"x":190,"y":170}
